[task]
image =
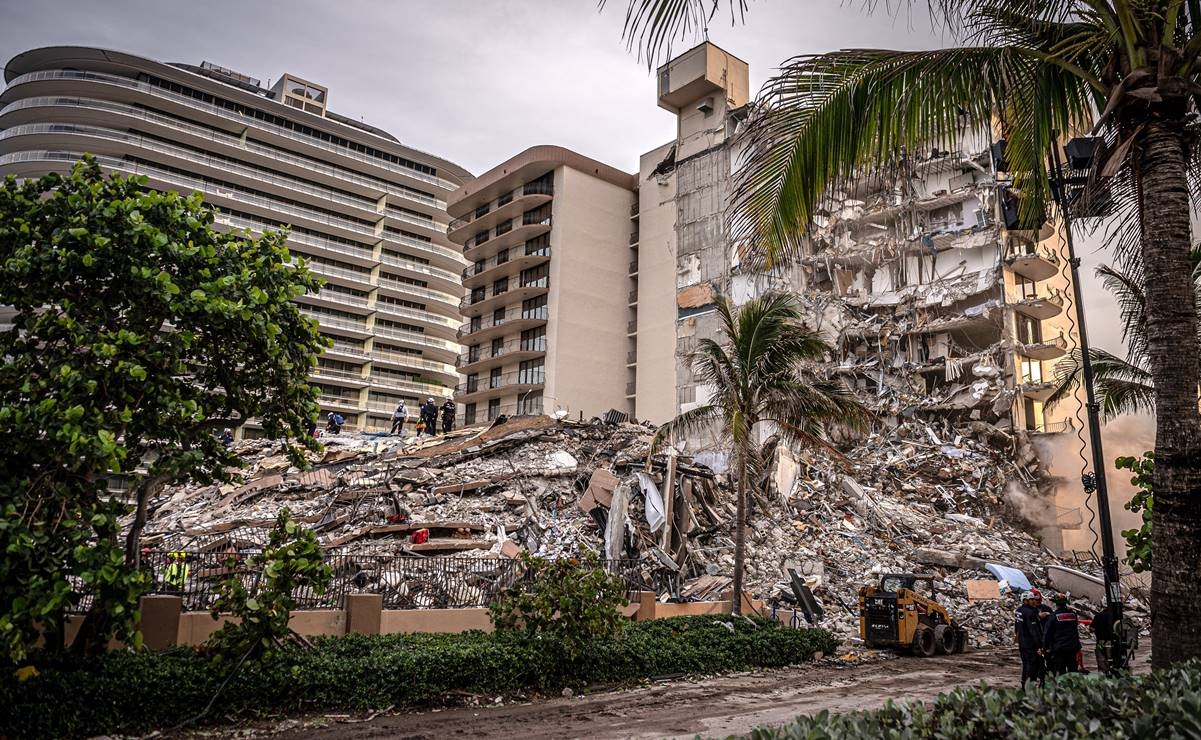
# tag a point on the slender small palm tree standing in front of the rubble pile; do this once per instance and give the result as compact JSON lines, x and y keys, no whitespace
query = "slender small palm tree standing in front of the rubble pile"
{"x":757,"y":375}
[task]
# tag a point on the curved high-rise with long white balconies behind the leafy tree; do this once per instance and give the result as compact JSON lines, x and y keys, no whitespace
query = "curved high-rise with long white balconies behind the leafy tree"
{"x":366,"y":211}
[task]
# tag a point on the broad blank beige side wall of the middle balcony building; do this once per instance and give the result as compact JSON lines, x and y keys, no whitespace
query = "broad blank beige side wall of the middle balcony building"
{"x":589,"y":295}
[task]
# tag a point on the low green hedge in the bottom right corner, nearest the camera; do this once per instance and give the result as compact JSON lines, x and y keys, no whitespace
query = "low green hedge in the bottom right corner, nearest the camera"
{"x":1166,"y":705}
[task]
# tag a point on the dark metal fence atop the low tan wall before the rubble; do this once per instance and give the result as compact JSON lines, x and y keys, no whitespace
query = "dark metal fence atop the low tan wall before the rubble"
{"x":405,"y":582}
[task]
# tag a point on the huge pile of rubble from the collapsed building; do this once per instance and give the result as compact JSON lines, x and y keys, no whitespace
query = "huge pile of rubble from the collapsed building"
{"x":915,"y":499}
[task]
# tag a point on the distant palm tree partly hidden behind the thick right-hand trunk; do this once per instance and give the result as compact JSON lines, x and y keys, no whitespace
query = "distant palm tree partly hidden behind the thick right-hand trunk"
{"x":1124,"y":385}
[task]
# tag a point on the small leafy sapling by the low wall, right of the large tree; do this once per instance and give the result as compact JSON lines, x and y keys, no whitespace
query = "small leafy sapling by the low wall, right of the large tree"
{"x":291,"y":562}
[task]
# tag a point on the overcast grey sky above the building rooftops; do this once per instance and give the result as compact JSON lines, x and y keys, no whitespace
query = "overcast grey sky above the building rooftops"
{"x":473,"y":81}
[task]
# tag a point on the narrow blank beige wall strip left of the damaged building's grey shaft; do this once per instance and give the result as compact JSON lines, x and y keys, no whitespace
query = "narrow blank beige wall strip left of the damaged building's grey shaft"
{"x":656,"y":401}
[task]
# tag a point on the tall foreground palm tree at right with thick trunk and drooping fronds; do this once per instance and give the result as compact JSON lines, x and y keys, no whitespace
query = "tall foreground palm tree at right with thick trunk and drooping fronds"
{"x":1127,"y":70}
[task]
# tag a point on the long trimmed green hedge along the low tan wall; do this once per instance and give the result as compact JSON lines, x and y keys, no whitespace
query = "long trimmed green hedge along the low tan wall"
{"x":136,"y":693}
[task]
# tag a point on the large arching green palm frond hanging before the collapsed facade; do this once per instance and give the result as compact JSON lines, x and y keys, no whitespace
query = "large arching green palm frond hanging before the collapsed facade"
{"x":829,"y":122}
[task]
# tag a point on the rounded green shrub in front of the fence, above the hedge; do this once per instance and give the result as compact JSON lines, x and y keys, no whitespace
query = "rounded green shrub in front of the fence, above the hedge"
{"x":571,"y":599}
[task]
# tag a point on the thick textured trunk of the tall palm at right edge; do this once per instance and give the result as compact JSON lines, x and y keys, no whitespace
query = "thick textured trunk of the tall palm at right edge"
{"x":1173,"y":347}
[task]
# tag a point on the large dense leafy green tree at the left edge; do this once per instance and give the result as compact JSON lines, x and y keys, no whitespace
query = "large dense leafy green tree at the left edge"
{"x":139,"y":333}
